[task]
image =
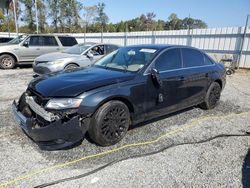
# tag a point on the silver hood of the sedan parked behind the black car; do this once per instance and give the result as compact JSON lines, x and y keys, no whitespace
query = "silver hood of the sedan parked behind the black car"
{"x":56,"y":56}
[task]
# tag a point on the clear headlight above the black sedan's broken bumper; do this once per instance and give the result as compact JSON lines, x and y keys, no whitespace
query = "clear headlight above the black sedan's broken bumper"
{"x":65,"y":103}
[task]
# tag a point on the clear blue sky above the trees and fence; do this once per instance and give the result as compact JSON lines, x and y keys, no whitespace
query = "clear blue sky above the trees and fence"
{"x":216,"y":13}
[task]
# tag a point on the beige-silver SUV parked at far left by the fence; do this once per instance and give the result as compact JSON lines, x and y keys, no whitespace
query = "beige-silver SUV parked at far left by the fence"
{"x":31,"y":47}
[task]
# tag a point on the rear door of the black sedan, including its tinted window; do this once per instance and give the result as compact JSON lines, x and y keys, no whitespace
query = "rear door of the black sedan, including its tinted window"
{"x":196,"y":74}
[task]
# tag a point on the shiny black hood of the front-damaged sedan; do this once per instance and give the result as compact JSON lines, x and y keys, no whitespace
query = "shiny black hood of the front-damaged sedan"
{"x":72,"y":83}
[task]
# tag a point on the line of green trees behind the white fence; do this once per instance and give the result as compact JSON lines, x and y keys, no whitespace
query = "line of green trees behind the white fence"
{"x":71,"y":16}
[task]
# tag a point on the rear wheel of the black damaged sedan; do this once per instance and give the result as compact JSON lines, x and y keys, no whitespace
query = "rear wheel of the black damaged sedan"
{"x":212,"y":96}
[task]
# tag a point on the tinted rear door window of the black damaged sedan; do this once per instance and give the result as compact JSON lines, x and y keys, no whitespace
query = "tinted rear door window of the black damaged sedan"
{"x":192,"y":58}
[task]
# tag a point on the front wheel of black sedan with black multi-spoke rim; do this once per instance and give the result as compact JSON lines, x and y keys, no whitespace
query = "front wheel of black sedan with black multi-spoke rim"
{"x":110,"y":123}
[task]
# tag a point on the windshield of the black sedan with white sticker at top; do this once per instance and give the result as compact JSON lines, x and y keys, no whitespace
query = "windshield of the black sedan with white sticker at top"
{"x":129,"y":58}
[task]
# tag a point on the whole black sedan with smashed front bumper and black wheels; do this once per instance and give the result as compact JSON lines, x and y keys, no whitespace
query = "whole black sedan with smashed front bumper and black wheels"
{"x":128,"y":86}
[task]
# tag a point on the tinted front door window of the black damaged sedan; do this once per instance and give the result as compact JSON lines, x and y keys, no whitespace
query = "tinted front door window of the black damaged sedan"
{"x":169,"y":60}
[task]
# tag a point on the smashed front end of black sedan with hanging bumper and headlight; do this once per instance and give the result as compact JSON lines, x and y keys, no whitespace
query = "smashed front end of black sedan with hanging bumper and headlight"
{"x":52,"y":123}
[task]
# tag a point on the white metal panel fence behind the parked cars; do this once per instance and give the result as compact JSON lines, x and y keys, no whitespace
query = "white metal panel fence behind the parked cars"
{"x":220,"y":43}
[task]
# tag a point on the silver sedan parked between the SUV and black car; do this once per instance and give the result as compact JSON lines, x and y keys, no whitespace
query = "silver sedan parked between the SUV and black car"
{"x":80,"y":55}
